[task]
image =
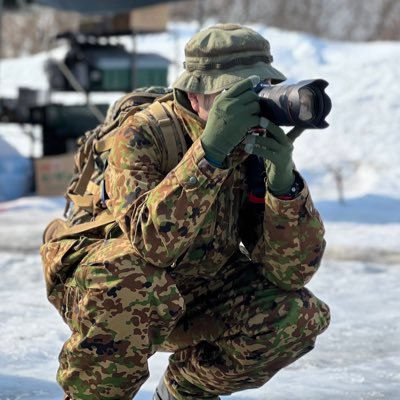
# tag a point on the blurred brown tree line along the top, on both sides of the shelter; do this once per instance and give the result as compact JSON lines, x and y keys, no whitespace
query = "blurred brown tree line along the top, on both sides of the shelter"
{"x":31,"y":30}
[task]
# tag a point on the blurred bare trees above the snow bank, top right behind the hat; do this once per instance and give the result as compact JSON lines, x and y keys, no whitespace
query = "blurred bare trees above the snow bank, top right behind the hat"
{"x":335,"y":19}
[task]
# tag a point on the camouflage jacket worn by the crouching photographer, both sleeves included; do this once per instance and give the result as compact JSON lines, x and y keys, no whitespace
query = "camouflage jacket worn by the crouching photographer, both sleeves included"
{"x":190,"y":220}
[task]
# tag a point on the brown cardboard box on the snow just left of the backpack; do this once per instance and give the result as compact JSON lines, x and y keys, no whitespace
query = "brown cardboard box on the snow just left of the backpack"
{"x":53,"y":174}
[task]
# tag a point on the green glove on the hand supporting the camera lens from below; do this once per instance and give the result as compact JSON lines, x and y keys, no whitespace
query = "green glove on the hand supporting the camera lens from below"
{"x":276,"y":149}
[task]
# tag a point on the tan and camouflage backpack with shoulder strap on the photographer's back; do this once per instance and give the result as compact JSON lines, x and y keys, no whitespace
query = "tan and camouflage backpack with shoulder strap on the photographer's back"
{"x":86,"y":210}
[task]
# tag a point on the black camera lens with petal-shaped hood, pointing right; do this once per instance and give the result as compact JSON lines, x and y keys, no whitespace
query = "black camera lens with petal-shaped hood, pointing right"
{"x":304,"y":104}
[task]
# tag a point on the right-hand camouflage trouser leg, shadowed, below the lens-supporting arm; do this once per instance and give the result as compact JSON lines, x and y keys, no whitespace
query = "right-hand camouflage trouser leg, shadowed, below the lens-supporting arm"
{"x":238,"y":331}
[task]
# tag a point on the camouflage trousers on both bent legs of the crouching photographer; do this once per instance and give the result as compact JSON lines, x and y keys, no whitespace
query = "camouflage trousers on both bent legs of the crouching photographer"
{"x":228,"y":334}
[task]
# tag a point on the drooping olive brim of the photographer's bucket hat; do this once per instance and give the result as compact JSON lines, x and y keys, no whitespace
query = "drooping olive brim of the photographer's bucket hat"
{"x":215,"y":81}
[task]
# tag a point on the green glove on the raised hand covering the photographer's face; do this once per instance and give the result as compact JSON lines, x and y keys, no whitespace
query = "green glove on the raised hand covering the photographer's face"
{"x":233,"y":113}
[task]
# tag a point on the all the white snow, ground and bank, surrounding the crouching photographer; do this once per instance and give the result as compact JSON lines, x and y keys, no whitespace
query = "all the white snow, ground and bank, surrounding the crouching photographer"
{"x":358,"y":358}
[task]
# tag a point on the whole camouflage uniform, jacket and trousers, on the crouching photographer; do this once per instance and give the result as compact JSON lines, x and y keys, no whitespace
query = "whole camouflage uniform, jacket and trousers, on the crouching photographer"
{"x":170,"y":276}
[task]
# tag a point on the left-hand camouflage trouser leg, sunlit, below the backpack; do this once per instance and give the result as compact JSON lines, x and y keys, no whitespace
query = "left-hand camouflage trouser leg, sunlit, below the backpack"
{"x":119,"y":310}
